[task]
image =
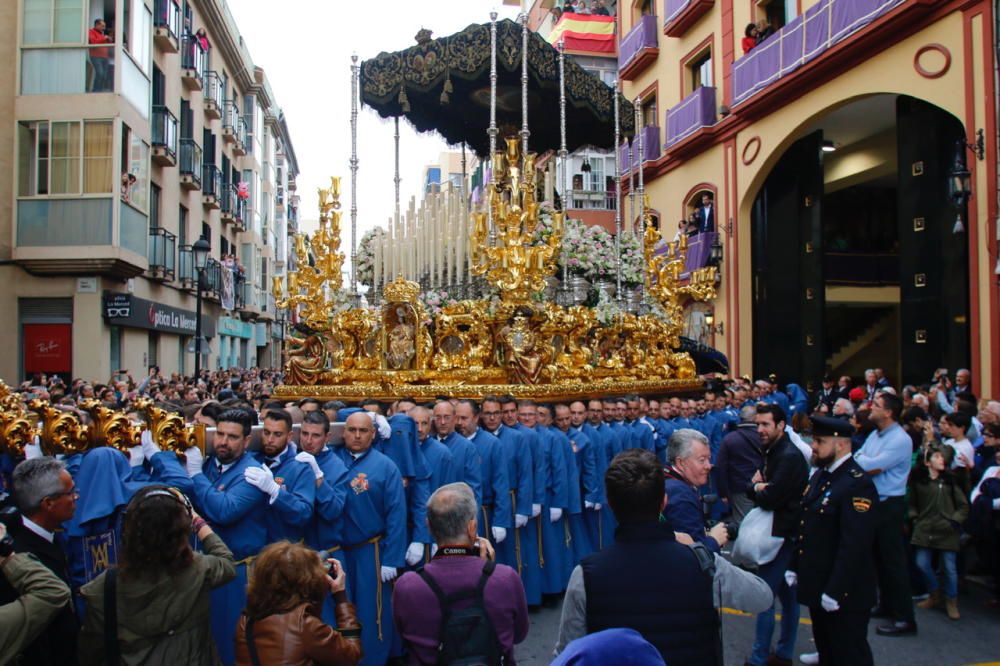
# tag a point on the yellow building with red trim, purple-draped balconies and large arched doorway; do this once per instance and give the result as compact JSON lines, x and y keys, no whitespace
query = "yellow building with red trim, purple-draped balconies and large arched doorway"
{"x":850,"y":156}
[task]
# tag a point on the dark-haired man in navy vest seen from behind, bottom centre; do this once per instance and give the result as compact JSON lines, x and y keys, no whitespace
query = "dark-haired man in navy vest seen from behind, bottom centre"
{"x":646,"y":580}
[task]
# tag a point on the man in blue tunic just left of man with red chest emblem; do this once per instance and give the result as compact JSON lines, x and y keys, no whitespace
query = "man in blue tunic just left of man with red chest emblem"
{"x":323,"y":532}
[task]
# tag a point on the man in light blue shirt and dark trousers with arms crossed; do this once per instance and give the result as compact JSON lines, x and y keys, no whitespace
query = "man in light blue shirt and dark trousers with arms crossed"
{"x":886,"y":456}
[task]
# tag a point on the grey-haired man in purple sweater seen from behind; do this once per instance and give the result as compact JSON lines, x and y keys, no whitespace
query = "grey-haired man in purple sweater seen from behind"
{"x":462,"y":563}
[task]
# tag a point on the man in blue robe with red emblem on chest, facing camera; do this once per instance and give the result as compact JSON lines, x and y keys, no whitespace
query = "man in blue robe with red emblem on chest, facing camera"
{"x":374,"y":534}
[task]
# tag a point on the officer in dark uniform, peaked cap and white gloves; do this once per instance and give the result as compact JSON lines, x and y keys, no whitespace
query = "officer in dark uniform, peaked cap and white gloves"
{"x":833,"y":565}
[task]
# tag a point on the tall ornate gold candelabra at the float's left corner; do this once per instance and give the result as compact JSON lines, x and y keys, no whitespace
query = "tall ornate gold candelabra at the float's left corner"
{"x":312,"y":286}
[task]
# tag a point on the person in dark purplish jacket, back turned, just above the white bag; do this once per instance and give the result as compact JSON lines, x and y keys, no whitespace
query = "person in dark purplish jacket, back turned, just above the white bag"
{"x":740,"y":456}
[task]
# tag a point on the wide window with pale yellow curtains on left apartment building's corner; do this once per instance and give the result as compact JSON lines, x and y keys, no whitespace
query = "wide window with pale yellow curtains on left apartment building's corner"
{"x":56,"y":158}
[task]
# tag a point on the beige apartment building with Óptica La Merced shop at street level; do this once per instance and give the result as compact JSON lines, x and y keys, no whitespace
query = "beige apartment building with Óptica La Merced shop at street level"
{"x":136,"y":128}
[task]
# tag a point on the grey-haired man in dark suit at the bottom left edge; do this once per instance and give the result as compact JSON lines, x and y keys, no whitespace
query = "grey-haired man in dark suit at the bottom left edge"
{"x":45,"y":495}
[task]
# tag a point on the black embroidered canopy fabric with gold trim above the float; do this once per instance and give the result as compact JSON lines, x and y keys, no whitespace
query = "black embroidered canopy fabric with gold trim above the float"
{"x":444,"y":85}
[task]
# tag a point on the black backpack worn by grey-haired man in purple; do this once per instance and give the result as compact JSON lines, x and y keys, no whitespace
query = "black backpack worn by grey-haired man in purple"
{"x":467,"y":636}
